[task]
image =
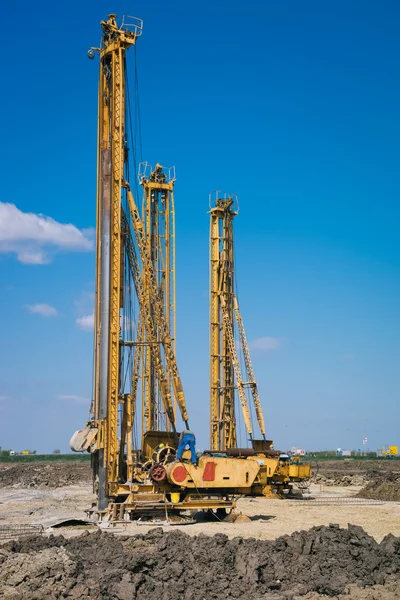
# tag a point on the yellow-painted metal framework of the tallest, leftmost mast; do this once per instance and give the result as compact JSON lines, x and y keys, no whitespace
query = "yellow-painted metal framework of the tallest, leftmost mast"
{"x":111,"y":153}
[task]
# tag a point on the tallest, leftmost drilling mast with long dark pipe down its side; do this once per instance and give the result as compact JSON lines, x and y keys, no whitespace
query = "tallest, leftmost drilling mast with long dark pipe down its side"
{"x":111,"y":163}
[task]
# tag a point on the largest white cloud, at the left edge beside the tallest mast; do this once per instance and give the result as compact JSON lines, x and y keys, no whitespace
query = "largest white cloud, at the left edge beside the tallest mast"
{"x":34,"y":237}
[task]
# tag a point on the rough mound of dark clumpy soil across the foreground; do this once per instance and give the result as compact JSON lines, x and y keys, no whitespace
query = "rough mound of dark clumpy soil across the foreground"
{"x":174,"y":566}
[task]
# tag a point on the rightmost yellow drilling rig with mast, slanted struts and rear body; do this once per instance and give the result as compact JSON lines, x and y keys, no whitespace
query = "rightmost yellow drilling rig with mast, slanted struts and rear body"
{"x":225,"y":366}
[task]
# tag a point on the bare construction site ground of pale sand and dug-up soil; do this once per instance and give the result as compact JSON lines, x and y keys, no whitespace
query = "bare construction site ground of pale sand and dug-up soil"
{"x":360,"y":493}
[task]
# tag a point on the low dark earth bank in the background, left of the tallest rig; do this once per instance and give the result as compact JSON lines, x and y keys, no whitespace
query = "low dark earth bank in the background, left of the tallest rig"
{"x":42,"y":475}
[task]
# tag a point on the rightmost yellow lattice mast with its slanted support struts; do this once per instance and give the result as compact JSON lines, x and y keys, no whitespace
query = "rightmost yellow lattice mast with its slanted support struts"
{"x":225,"y":370}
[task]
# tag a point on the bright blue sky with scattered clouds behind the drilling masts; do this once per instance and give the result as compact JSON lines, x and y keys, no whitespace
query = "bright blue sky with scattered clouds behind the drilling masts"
{"x":291,"y":106}
